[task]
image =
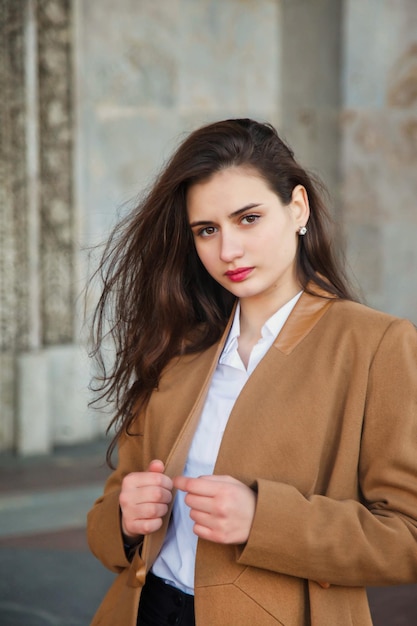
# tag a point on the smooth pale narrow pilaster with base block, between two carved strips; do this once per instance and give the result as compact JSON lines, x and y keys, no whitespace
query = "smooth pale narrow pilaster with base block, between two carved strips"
{"x":33,"y":423}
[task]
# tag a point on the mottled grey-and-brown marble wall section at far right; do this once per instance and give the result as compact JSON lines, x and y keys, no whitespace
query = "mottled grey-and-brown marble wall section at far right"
{"x":379,"y":150}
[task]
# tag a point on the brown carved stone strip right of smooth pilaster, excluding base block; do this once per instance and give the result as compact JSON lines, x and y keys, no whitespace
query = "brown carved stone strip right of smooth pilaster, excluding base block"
{"x":56,"y":170}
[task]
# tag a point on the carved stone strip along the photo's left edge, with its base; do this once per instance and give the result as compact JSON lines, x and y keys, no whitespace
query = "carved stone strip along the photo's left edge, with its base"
{"x":14,"y":324}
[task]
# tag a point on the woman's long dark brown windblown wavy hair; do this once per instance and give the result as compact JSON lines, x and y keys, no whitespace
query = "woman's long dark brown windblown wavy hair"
{"x":156,"y":293}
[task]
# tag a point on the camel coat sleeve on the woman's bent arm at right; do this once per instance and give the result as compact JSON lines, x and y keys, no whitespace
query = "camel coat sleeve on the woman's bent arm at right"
{"x":350,"y":542}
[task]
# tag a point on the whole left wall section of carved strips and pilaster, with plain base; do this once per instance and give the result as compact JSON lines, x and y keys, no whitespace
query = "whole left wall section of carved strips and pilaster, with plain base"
{"x":43,"y":370}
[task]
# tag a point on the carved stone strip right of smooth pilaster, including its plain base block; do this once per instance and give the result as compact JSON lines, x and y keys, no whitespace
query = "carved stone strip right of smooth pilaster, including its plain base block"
{"x":66,"y":363}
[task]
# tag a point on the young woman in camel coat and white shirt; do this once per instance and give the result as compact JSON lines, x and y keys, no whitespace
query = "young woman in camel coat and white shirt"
{"x":266,"y":423}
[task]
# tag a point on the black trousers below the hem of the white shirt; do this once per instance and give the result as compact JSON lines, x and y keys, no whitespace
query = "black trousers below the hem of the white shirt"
{"x":163,"y":605}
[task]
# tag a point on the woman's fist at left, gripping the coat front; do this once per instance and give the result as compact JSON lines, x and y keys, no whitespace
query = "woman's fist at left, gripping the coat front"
{"x":144,"y":500}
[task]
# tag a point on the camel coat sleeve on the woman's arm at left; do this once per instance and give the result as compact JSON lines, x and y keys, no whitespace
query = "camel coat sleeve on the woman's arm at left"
{"x":104,"y":534}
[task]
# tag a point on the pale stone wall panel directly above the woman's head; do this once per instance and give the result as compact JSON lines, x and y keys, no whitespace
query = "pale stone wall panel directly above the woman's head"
{"x":229,"y":57}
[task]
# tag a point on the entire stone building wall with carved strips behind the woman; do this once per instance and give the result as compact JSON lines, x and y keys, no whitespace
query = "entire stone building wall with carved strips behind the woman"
{"x":96,"y":94}
